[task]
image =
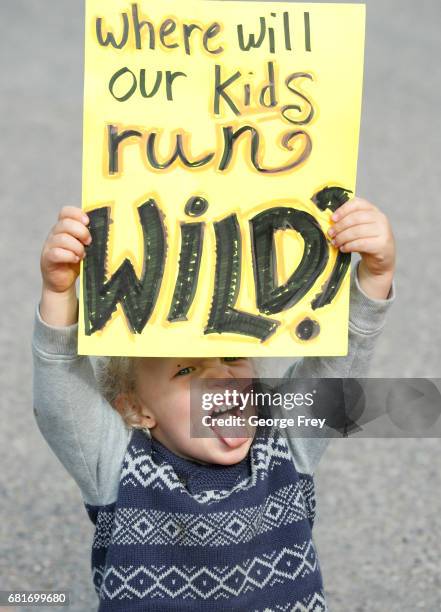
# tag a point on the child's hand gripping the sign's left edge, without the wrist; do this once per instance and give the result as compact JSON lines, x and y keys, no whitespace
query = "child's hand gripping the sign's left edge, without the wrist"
{"x":64,"y":249}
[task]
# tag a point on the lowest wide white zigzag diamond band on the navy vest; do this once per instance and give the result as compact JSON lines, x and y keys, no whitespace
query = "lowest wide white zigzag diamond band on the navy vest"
{"x":211,"y":583}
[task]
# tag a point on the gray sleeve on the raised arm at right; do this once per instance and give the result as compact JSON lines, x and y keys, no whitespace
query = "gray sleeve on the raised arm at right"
{"x":367,"y":318}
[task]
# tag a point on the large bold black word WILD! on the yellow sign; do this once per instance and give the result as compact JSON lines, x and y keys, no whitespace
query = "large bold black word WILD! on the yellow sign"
{"x":138,"y":297}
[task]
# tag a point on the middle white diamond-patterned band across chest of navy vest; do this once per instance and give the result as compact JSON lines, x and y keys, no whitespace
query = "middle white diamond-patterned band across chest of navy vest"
{"x":155,"y":527}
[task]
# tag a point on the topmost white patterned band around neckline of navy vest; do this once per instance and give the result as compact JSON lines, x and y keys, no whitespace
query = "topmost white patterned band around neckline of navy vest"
{"x":139,"y":468}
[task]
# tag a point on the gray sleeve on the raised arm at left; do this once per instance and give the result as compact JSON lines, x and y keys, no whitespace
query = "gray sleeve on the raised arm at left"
{"x":86,"y":434}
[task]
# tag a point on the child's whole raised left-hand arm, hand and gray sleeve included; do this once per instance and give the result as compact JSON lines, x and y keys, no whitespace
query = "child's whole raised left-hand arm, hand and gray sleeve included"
{"x":85,"y":433}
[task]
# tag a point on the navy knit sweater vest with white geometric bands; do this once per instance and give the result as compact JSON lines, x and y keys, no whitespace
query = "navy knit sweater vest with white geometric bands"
{"x":183,"y":536}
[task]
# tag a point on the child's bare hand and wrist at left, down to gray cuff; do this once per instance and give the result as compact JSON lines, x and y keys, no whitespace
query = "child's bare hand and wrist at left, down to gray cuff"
{"x":60,"y":266}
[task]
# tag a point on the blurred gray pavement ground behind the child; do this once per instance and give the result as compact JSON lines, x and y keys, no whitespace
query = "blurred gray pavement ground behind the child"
{"x":379,"y":527}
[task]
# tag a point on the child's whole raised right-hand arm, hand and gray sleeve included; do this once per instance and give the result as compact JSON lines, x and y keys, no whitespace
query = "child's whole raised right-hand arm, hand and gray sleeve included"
{"x":359,"y":227}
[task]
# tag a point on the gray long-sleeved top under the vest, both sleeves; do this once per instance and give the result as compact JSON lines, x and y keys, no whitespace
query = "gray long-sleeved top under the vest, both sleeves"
{"x":90,"y":438}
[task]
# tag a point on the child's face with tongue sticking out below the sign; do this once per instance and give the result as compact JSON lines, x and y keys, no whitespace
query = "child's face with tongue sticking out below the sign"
{"x":163,"y":398}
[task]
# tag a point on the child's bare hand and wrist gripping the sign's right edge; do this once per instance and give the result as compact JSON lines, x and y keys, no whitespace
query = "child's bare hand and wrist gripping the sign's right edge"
{"x":361,"y":227}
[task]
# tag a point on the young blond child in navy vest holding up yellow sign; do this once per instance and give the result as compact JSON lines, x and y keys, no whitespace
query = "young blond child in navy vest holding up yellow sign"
{"x":188,"y":523}
